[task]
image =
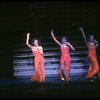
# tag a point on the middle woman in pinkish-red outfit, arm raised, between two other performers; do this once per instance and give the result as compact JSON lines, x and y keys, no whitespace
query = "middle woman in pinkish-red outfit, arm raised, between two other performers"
{"x":65,"y":62}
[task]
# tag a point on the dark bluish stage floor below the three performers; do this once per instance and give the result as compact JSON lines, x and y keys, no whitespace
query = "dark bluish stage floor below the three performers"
{"x":52,"y":88}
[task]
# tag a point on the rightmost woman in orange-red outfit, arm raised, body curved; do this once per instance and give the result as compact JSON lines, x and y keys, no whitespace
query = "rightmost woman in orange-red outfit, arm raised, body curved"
{"x":94,"y":65}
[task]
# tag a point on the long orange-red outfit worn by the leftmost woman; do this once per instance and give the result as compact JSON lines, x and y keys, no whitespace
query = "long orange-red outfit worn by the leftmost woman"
{"x":39,"y":74}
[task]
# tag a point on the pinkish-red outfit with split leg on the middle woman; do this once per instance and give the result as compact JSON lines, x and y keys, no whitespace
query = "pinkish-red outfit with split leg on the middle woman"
{"x":65,"y":57}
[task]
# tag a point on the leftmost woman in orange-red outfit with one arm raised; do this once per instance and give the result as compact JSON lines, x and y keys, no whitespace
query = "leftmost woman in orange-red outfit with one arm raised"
{"x":39,"y":75}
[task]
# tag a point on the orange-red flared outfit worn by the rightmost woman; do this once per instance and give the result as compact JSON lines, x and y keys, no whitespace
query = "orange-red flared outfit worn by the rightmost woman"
{"x":94,"y":66}
